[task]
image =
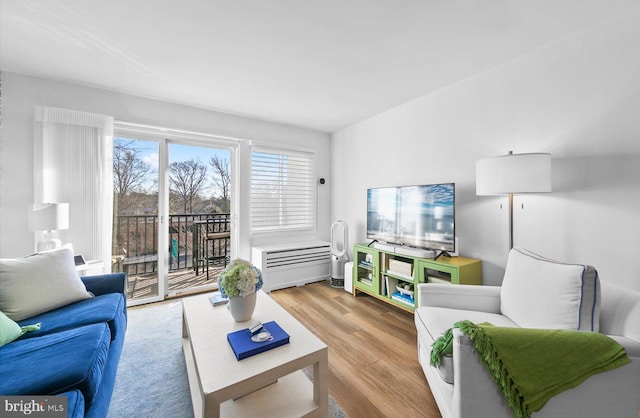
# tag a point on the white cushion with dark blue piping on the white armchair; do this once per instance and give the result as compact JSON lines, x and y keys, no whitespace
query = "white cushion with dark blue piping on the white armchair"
{"x":541,"y":293}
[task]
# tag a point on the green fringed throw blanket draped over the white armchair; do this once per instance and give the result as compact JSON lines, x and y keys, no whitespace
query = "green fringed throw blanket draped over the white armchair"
{"x":530,"y":366}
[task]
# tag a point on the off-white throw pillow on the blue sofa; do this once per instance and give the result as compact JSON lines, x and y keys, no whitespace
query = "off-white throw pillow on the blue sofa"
{"x":39,"y":283}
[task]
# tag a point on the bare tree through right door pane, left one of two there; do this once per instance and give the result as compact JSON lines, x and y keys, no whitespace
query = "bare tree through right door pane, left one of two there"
{"x":187,"y":179}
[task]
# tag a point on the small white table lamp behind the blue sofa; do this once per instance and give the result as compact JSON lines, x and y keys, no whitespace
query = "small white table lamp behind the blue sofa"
{"x":48,"y":217}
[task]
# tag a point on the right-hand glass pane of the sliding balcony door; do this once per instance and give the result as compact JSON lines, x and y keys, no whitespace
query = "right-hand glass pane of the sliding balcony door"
{"x":199,"y":207}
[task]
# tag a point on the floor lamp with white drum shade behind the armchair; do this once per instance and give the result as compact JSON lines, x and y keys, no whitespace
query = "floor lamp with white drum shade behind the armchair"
{"x":513,"y":174}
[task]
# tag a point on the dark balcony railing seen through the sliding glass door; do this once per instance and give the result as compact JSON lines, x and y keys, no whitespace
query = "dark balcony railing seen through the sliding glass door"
{"x":194,"y":240}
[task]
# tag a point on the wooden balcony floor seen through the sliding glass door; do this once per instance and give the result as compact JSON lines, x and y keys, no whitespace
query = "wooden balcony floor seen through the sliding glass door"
{"x":146,"y":285}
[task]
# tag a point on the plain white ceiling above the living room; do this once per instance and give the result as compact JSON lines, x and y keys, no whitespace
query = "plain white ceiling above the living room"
{"x":321,"y":64}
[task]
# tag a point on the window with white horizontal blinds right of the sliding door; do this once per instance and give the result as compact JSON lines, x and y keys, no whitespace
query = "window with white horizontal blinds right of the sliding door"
{"x":282,"y":190}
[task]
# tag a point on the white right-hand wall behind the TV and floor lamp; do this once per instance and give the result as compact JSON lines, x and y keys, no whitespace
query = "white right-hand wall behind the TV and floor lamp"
{"x":578,"y":99}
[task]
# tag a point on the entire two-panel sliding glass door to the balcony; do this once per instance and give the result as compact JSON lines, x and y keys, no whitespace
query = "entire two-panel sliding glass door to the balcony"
{"x":172,"y":214}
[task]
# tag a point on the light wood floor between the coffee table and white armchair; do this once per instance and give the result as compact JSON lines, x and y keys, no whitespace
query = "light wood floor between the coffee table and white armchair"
{"x":373,"y":364}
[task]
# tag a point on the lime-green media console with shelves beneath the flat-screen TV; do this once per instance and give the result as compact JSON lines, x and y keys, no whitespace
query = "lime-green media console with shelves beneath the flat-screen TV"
{"x":393,"y":277}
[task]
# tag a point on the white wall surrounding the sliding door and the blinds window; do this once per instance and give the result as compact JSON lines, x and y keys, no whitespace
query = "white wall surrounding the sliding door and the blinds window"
{"x":20,"y":95}
